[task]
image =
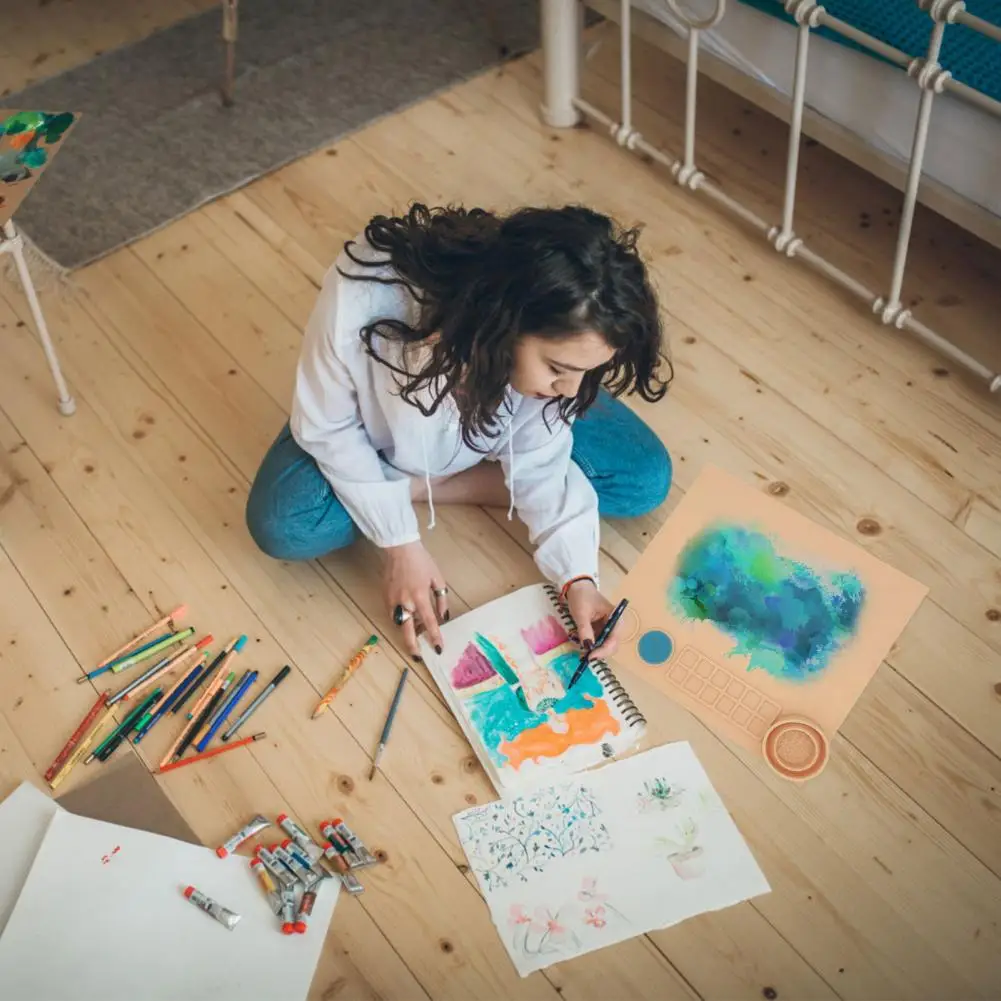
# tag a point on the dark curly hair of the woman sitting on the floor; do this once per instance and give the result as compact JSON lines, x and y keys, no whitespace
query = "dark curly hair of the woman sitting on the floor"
{"x":483,"y":281}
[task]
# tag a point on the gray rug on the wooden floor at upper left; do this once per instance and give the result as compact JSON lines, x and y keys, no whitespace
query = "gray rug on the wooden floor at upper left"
{"x":155,"y":142}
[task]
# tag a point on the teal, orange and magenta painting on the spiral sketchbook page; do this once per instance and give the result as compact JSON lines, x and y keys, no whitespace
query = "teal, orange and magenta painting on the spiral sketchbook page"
{"x":514,"y":690}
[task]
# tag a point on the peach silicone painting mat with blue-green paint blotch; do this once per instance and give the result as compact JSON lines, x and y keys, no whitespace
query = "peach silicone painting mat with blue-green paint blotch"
{"x":745,"y":612}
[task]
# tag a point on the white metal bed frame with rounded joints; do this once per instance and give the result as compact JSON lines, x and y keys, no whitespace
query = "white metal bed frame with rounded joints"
{"x":562,"y":23}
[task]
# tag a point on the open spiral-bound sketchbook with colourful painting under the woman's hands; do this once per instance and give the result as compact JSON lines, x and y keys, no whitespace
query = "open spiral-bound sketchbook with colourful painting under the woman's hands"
{"x":506,"y":671}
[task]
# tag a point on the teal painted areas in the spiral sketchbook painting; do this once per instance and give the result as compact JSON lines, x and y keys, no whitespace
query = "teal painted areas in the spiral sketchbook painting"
{"x":500,"y":715}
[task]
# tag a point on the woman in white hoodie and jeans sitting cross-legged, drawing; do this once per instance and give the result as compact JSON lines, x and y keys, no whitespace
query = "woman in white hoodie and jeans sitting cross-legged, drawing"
{"x":462,"y":357}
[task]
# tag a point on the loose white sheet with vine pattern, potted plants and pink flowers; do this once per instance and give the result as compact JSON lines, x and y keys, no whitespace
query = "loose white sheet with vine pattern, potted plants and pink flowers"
{"x":639,"y":845}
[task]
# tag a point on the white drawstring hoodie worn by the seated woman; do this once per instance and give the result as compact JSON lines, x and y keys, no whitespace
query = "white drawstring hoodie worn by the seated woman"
{"x":349,"y":416}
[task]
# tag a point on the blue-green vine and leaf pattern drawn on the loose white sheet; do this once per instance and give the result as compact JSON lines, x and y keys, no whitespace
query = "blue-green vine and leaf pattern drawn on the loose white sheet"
{"x":507,"y":842}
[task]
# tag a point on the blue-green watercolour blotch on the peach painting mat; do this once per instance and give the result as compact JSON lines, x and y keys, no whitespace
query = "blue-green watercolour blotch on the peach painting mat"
{"x":787,"y":618}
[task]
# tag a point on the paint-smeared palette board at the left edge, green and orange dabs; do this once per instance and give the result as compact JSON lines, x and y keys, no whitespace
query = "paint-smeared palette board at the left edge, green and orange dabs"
{"x":29,"y":143}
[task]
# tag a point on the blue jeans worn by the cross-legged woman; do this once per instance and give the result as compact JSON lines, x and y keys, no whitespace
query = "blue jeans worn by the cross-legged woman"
{"x":294,"y":514}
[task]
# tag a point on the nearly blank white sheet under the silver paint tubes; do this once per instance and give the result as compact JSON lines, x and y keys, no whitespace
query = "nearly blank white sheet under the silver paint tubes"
{"x":103,"y":917}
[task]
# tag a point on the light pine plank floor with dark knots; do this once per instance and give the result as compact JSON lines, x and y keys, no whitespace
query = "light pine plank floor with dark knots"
{"x":885,"y":871}
